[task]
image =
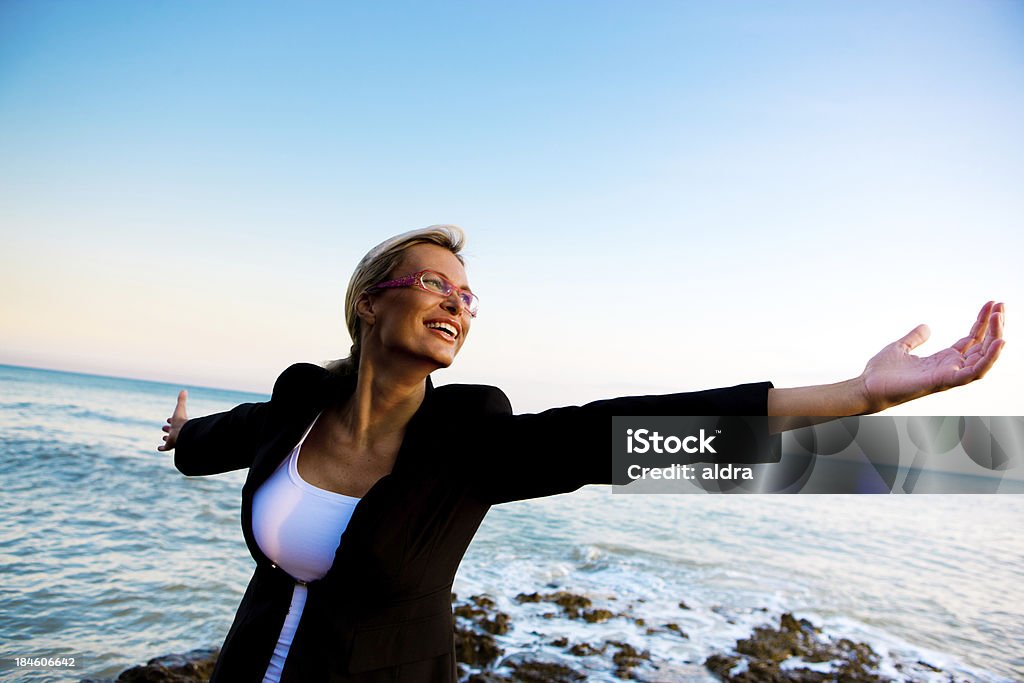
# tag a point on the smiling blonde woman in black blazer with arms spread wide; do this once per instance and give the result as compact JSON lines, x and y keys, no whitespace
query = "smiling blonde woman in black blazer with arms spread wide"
{"x":358,"y":541}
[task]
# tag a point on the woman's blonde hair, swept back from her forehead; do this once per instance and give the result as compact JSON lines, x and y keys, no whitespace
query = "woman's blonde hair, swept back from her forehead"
{"x":377,"y":267}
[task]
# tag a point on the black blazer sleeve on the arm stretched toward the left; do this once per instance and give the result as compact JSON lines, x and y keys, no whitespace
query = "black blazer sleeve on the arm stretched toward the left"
{"x":229,"y":441}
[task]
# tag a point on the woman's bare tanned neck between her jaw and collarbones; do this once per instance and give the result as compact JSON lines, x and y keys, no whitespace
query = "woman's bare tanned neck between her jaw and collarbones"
{"x":386,"y":399}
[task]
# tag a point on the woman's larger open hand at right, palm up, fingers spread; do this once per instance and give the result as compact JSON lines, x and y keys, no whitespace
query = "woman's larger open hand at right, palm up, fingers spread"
{"x":894,"y":376}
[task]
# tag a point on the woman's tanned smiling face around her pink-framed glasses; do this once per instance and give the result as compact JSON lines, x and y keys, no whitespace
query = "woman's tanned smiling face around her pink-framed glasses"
{"x":411,"y":324}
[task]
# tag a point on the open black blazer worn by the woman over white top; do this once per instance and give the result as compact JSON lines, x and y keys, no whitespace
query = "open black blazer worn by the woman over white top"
{"x":383,"y":611}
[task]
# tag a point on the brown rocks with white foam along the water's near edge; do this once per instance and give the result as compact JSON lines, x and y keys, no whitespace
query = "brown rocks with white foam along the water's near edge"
{"x":789,"y":650}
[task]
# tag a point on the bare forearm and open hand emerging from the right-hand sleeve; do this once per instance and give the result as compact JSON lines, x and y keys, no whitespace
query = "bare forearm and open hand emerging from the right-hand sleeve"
{"x":894,"y":376}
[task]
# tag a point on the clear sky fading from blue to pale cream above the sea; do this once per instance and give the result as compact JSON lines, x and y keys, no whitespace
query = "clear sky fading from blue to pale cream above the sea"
{"x":659,"y":197}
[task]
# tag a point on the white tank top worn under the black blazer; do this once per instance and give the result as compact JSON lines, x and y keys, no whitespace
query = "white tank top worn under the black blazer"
{"x":300,"y":528}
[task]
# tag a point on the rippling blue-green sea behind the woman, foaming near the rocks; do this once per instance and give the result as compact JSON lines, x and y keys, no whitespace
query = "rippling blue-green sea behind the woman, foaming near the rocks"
{"x":109,"y":557}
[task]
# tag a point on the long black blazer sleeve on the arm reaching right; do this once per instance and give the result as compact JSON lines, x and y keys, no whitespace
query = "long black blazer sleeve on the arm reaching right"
{"x":518,"y":457}
